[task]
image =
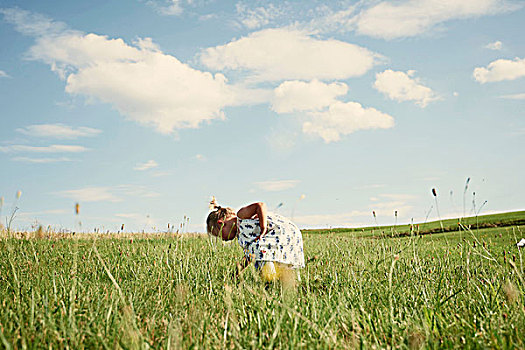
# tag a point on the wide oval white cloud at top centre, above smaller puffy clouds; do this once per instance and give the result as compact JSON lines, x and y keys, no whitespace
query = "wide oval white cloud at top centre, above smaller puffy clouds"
{"x":286,"y":54}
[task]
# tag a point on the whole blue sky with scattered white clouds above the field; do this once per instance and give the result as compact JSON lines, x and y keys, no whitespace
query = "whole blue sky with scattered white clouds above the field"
{"x":141,"y":110}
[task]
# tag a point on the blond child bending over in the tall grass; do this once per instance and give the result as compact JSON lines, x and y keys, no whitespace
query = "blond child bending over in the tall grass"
{"x":272,"y":241}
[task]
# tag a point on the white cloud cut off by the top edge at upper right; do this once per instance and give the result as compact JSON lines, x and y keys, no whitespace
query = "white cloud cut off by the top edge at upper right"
{"x":390,"y":20}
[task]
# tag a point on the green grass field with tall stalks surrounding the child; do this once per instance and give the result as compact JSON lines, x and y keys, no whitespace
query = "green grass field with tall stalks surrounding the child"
{"x":456,"y":289}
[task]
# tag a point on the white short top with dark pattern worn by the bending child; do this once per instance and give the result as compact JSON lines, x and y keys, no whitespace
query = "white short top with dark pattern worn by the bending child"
{"x":283,"y":241}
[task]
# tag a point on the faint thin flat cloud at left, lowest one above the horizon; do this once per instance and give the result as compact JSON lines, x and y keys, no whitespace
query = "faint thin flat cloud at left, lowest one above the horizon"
{"x":107,"y":194}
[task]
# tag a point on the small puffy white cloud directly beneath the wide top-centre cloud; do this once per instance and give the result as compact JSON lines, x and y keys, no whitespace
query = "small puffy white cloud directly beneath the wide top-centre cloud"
{"x":292,"y":96}
